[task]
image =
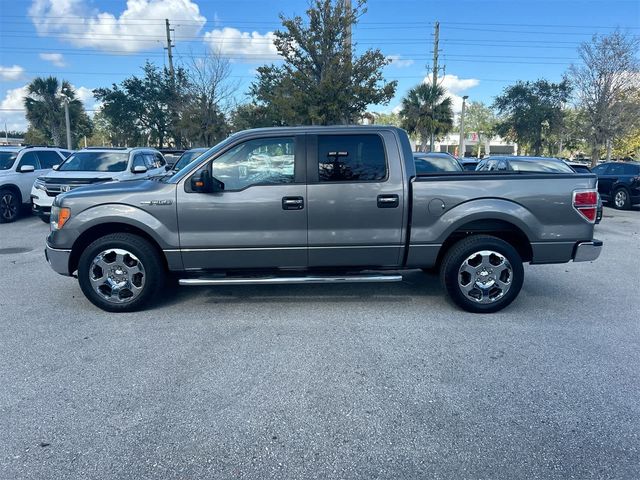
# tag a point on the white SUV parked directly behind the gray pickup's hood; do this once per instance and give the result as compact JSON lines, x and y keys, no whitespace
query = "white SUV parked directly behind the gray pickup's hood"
{"x":94,"y":165}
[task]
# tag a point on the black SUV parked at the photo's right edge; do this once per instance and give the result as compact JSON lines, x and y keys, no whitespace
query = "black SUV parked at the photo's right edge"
{"x":619,"y":183}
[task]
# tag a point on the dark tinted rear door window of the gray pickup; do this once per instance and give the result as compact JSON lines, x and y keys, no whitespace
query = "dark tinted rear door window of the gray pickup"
{"x":351,"y":158}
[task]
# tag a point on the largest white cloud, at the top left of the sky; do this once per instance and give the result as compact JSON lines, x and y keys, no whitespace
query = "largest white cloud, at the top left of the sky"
{"x":138,"y":27}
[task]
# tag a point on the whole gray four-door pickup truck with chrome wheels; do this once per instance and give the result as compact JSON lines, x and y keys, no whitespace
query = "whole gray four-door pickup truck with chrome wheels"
{"x":319,"y":205}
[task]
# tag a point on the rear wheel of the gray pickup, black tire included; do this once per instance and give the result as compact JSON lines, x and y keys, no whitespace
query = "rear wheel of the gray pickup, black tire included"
{"x":497,"y":295}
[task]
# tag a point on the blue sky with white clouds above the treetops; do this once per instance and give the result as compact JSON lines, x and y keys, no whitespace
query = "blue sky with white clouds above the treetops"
{"x":485,"y":45}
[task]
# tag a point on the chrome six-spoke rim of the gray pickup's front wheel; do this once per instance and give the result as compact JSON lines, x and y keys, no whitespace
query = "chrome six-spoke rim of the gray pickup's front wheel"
{"x":117,"y":275}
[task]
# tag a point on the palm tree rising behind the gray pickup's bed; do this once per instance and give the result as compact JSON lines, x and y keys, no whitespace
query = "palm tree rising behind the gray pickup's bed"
{"x":427,"y":110}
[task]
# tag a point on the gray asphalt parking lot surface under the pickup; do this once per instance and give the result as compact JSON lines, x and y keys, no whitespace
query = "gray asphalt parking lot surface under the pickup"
{"x":327,"y":382}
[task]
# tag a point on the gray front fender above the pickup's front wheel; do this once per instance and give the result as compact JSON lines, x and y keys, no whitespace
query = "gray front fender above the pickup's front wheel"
{"x":161,"y":226}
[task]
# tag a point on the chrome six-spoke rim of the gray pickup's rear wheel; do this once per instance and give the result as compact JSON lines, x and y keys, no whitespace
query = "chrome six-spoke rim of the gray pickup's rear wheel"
{"x":485,"y":276}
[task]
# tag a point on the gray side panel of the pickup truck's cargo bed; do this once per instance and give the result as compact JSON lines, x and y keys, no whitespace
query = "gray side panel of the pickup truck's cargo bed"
{"x":539,"y":205}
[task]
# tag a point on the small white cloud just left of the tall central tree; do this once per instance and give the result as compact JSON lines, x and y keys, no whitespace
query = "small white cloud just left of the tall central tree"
{"x":243,"y":46}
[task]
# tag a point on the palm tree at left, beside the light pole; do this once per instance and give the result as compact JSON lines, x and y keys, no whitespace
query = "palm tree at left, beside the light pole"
{"x":45,"y":108}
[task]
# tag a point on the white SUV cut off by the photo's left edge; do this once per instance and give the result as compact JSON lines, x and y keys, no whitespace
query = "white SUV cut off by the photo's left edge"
{"x":19,"y":168}
